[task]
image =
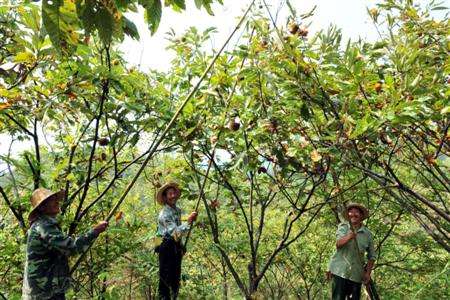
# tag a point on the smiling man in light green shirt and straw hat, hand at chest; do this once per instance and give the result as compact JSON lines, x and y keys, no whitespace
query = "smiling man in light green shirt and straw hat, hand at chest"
{"x":353,"y":241}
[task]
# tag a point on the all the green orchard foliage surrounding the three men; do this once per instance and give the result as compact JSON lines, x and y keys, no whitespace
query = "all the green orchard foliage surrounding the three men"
{"x":292,"y":126}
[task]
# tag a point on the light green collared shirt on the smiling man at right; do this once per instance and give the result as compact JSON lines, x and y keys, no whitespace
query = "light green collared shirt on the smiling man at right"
{"x":345,"y":262}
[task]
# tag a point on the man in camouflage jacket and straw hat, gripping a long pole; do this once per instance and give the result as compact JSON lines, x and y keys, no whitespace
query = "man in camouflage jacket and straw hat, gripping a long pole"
{"x":48,"y":248}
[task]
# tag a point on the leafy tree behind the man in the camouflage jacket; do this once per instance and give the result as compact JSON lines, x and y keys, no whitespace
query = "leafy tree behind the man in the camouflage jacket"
{"x":66,"y":89}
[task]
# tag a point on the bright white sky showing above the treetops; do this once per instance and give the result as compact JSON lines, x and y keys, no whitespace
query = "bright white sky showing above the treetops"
{"x":349,"y":15}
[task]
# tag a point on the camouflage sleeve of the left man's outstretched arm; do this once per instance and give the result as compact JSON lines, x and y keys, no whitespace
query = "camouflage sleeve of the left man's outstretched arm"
{"x":55,"y":239}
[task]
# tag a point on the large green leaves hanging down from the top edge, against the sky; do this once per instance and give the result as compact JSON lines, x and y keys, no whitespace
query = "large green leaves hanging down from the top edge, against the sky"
{"x":65,"y":20}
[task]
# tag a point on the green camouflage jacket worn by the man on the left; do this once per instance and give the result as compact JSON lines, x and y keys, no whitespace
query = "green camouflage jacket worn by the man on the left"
{"x":46,"y":266}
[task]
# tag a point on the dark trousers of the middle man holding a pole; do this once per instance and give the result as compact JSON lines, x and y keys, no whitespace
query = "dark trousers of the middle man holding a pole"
{"x":170,"y":255}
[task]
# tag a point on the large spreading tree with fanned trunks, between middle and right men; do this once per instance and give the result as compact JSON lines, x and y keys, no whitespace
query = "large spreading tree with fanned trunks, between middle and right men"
{"x":287,"y":110}
